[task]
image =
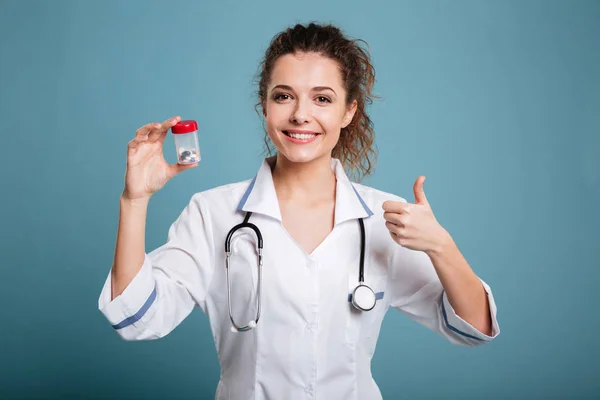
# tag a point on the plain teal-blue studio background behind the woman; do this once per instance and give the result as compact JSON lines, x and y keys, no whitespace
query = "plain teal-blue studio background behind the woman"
{"x":496,"y":102}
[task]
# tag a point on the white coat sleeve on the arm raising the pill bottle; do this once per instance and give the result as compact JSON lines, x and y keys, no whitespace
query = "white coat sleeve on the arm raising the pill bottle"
{"x":172,"y":280}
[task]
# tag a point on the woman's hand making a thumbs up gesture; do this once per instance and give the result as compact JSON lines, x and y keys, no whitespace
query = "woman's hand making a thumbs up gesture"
{"x":413,"y":225}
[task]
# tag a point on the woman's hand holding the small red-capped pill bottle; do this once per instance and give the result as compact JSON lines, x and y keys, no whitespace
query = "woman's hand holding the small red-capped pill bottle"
{"x":147,"y":170}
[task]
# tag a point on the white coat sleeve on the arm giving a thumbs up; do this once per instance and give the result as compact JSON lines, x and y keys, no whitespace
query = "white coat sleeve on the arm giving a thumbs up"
{"x":417,"y":292}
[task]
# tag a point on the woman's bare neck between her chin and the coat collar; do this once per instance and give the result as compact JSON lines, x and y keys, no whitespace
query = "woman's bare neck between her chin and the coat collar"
{"x":310,"y":181}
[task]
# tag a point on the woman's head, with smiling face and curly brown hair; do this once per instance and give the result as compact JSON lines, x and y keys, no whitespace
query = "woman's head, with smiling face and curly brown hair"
{"x":317,"y":73}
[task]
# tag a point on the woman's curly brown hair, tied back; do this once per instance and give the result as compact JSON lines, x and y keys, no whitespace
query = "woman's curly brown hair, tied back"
{"x":355,"y":148}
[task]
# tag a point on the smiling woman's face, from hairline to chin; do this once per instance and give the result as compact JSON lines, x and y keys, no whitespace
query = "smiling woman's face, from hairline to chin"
{"x":305,"y":107}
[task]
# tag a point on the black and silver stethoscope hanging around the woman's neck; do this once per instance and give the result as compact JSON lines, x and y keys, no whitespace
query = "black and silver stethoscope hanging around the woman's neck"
{"x":363,"y":297}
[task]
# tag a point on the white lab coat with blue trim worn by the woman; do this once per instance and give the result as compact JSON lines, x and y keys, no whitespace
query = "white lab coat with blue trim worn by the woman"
{"x":309,"y":342}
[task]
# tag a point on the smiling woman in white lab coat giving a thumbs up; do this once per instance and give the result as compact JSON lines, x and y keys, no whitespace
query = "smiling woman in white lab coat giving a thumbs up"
{"x":311,"y":340}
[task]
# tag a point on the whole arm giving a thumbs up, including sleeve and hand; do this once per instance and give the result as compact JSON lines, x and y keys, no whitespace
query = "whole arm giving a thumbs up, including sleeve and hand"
{"x":436,"y":274}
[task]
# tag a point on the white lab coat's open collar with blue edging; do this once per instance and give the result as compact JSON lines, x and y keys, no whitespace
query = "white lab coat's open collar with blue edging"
{"x":260,"y":197}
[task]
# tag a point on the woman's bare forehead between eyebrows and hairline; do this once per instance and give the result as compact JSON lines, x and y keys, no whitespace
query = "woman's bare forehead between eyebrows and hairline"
{"x":306,"y":70}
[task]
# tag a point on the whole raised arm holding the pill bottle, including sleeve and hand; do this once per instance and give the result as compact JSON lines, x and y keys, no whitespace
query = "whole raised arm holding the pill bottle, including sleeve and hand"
{"x":147,"y":295}
